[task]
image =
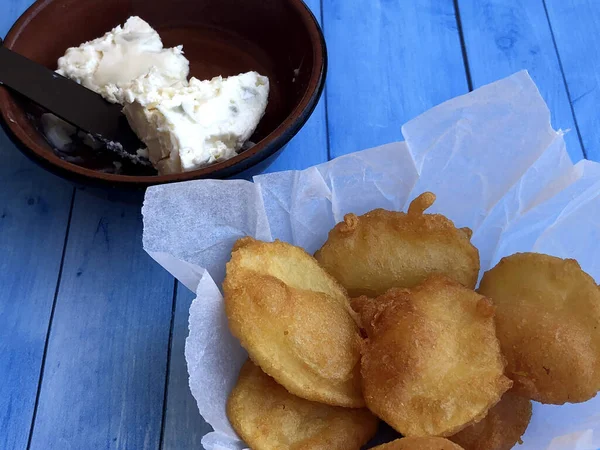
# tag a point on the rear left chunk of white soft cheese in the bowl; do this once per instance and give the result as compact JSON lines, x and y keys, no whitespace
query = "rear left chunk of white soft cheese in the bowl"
{"x":125,"y":59}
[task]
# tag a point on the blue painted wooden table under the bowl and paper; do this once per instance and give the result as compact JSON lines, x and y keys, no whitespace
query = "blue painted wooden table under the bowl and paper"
{"x":92,"y":330}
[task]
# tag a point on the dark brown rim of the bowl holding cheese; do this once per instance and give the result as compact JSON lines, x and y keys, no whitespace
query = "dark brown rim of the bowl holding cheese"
{"x":266,"y":147}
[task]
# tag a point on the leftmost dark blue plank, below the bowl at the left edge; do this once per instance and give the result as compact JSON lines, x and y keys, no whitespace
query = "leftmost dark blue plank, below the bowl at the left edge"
{"x":34,"y":212}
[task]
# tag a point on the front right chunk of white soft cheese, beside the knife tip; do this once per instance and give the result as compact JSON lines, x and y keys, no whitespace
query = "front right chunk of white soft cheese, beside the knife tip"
{"x":203,"y":122}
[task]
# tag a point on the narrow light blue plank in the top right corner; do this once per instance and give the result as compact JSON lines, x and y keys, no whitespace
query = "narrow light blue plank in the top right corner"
{"x":576,"y":27}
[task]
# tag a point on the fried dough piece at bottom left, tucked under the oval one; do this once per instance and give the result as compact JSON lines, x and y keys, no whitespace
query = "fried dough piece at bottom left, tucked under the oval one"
{"x":268,"y":417}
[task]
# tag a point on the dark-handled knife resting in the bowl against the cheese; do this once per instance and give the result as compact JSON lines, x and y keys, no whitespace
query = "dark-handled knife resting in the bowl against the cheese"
{"x":72,"y":102}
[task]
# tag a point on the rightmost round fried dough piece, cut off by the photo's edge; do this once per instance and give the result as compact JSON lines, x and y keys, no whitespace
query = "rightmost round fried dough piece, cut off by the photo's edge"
{"x":548,"y":324}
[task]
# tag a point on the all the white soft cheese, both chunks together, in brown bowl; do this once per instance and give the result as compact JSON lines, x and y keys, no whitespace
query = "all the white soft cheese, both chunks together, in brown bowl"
{"x":185,"y":125}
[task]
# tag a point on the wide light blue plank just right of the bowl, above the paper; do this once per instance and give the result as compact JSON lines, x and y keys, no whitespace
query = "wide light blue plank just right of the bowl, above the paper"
{"x":389,"y":61}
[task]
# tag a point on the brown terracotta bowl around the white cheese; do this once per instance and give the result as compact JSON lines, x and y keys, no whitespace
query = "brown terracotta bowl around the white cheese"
{"x":278,"y":38}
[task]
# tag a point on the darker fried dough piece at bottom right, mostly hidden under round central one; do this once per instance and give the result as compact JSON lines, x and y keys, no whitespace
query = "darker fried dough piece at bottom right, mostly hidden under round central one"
{"x":501,"y":429}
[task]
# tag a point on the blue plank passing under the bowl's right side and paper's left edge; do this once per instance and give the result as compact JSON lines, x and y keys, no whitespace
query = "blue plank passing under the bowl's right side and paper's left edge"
{"x":183,"y":426}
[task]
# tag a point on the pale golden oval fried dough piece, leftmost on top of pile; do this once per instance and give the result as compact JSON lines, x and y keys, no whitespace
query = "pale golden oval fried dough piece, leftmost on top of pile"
{"x":294,"y":320}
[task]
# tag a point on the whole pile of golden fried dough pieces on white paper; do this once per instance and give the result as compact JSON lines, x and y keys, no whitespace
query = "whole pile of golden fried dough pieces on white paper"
{"x":383,"y":324}
